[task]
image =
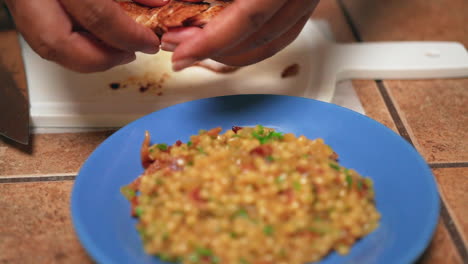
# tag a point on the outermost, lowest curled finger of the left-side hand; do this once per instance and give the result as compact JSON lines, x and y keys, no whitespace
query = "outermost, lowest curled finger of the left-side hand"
{"x":49,"y":34}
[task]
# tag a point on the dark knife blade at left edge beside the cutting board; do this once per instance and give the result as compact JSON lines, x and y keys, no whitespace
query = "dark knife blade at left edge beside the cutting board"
{"x":14,"y":105}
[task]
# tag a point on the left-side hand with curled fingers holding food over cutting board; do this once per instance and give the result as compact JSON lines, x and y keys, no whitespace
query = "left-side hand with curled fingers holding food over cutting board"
{"x":85,"y":36}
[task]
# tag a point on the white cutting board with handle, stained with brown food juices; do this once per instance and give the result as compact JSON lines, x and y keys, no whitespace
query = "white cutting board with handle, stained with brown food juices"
{"x":62,"y":98}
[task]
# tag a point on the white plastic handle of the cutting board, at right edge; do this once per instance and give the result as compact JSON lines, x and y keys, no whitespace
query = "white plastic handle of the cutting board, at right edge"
{"x":401,"y":60}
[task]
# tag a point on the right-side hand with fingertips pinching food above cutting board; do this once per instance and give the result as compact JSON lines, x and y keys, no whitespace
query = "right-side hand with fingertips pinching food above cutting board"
{"x":246,"y":32}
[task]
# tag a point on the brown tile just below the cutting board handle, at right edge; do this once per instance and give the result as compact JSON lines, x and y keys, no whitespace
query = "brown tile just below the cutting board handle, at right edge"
{"x":435,"y":113}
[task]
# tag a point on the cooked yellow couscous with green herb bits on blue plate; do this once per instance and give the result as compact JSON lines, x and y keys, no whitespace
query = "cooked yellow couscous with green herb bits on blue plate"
{"x":249,"y":196}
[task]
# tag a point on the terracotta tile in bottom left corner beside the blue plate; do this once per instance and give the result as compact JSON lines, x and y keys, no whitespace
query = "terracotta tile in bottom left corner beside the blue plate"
{"x":36,"y":227}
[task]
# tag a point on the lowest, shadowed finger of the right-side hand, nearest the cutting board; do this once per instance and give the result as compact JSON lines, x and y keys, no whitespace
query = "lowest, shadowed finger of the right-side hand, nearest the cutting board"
{"x":265,"y":51}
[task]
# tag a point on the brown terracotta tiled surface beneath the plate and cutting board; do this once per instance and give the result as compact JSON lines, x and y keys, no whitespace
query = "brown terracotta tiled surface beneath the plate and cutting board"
{"x":35,"y":182}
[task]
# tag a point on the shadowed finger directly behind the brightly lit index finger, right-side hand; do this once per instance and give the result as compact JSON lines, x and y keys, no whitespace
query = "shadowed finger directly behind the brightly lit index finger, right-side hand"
{"x":279,"y":24}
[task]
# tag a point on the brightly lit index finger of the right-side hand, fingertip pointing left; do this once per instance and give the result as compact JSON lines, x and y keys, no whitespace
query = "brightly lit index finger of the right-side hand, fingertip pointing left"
{"x":229,"y":28}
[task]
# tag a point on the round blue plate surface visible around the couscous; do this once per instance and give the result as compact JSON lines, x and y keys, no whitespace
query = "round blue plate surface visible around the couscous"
{"x":406,"y":193}
